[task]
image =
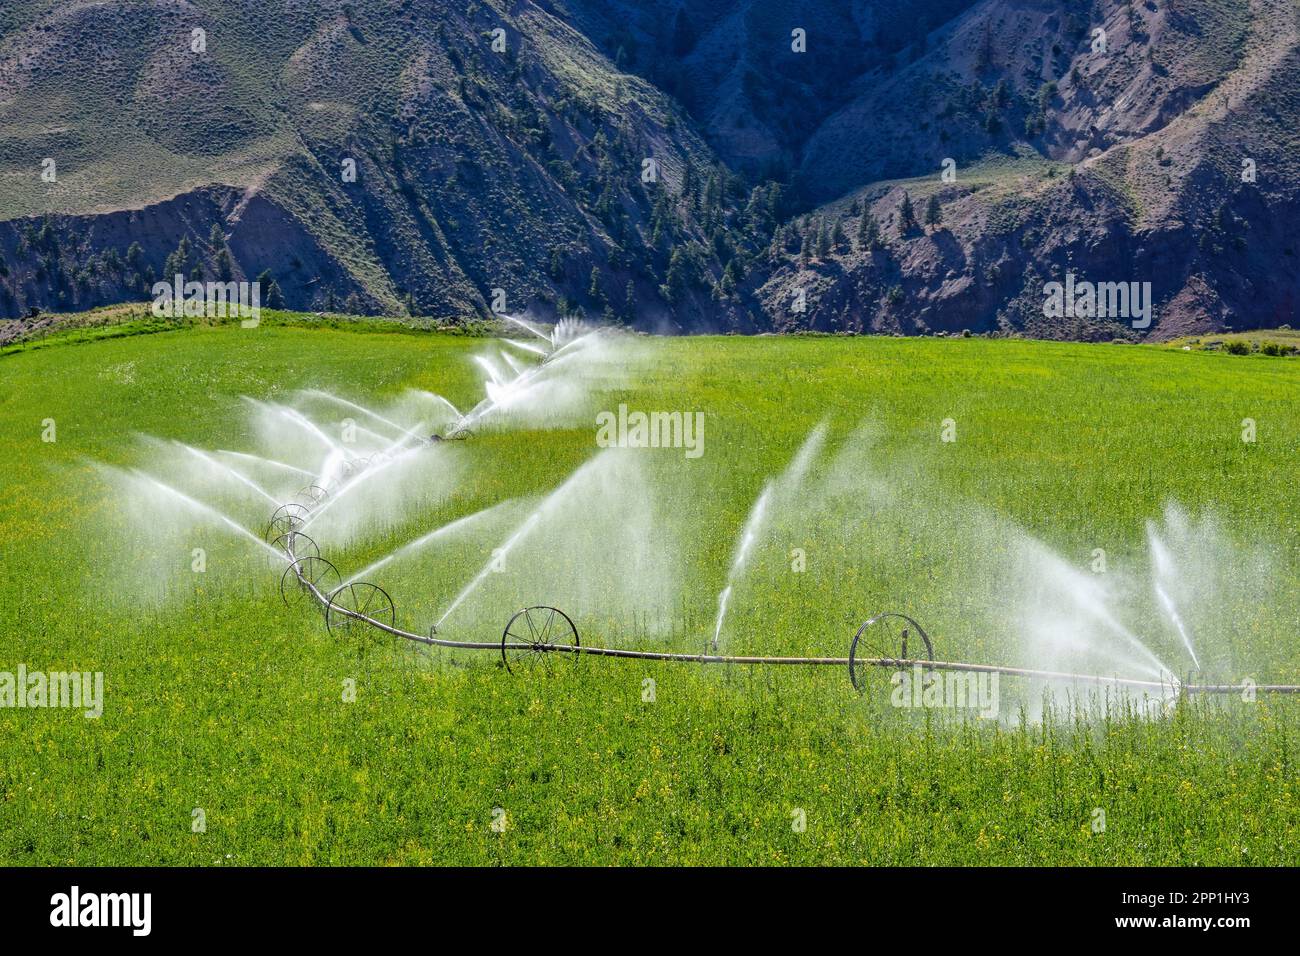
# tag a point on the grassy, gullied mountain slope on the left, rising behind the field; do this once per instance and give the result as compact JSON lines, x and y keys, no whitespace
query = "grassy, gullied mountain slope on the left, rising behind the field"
{"x":476,"y":168}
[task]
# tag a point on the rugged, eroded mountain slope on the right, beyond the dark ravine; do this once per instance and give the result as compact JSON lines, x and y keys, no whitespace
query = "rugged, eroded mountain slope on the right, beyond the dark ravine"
{"x":1138,"y":175}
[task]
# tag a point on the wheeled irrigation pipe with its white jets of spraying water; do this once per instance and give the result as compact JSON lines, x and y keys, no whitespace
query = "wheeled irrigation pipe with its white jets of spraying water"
{"x":540,"y":635}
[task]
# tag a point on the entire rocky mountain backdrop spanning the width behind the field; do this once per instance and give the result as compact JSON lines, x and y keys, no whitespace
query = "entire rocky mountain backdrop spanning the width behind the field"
{"x":683,"y":166}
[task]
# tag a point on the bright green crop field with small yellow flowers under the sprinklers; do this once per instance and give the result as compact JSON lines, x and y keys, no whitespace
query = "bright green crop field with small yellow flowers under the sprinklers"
{"x":218,"y":698}
